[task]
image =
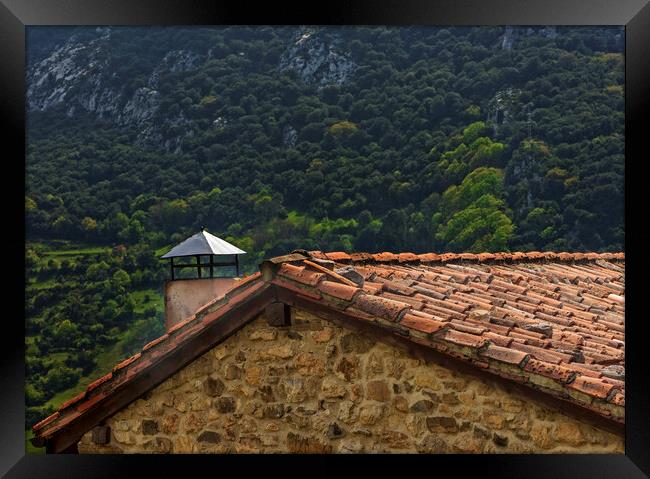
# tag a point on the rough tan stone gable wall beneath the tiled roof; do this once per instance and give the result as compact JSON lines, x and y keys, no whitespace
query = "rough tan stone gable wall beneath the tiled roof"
{"x":315,"y":387}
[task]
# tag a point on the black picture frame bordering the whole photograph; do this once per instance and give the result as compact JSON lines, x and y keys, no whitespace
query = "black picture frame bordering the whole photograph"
{"x":634,"y":14}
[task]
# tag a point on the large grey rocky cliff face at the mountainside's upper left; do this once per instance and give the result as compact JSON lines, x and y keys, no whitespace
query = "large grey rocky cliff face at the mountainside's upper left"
{"x":77,"y":74}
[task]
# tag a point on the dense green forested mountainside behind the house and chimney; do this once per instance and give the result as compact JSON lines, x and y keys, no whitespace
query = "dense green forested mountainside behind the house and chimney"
{"x":359,"y":139}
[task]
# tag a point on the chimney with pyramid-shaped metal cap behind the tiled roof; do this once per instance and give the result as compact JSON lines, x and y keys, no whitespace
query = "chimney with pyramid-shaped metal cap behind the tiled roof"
{"x":203,"y":267}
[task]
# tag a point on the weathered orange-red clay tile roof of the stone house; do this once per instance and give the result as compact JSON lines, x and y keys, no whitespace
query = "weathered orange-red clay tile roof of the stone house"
{"x":552,"y":321}
